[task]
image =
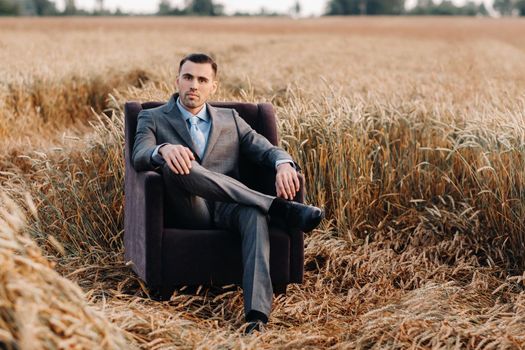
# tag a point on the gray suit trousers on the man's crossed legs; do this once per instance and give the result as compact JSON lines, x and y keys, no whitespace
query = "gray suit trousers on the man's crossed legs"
{"x":204,"y":199}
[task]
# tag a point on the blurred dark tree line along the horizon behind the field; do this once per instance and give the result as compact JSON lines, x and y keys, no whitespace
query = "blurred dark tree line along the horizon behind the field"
{"x":333,"y":8}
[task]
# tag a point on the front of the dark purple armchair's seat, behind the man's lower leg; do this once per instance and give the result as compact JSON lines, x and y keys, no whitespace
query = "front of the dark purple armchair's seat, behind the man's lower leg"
{"x":213,"y":257}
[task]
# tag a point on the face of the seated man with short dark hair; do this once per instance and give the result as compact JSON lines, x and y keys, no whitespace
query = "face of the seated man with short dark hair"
{"x":196,"y":83}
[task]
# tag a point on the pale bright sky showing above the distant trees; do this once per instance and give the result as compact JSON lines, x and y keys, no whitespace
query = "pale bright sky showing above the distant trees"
{"x":309,"y":7}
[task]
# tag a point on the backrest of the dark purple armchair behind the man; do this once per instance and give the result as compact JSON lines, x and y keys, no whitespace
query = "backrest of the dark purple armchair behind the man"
{"x":261,"y":117}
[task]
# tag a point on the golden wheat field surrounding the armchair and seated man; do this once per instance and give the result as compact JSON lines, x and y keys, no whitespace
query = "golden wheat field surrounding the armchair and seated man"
{"x":411,"y":135}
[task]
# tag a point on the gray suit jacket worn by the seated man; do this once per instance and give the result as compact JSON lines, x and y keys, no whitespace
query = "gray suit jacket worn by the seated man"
{"x":230,"y":136}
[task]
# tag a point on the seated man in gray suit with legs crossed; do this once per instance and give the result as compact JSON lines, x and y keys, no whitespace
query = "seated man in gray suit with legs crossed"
{"x":197,"y":146}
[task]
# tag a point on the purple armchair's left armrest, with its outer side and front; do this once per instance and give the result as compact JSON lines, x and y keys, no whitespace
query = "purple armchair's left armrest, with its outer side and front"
{"x":143,"y":223}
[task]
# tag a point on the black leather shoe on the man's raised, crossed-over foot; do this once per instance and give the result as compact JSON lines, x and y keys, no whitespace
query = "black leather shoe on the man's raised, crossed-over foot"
{"x":296,"y":215}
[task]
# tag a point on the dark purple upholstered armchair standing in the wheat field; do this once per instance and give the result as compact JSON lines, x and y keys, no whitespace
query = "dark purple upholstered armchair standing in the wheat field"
{"x":166,"y":257}
